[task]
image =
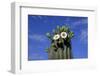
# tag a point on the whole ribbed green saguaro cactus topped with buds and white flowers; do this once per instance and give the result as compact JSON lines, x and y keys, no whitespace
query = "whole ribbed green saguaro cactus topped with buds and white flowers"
{"x":60,"y":47}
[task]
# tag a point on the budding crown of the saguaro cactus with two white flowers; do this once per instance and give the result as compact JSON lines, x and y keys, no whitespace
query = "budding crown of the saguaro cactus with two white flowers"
{"x":60,"y":32}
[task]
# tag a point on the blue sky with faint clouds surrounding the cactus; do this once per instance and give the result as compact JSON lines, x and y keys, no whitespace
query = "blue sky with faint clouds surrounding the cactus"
{"x":39,"y":25}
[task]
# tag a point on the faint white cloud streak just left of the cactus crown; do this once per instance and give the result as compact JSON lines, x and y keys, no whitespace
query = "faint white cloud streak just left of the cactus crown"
{"x":38,"y":37}
